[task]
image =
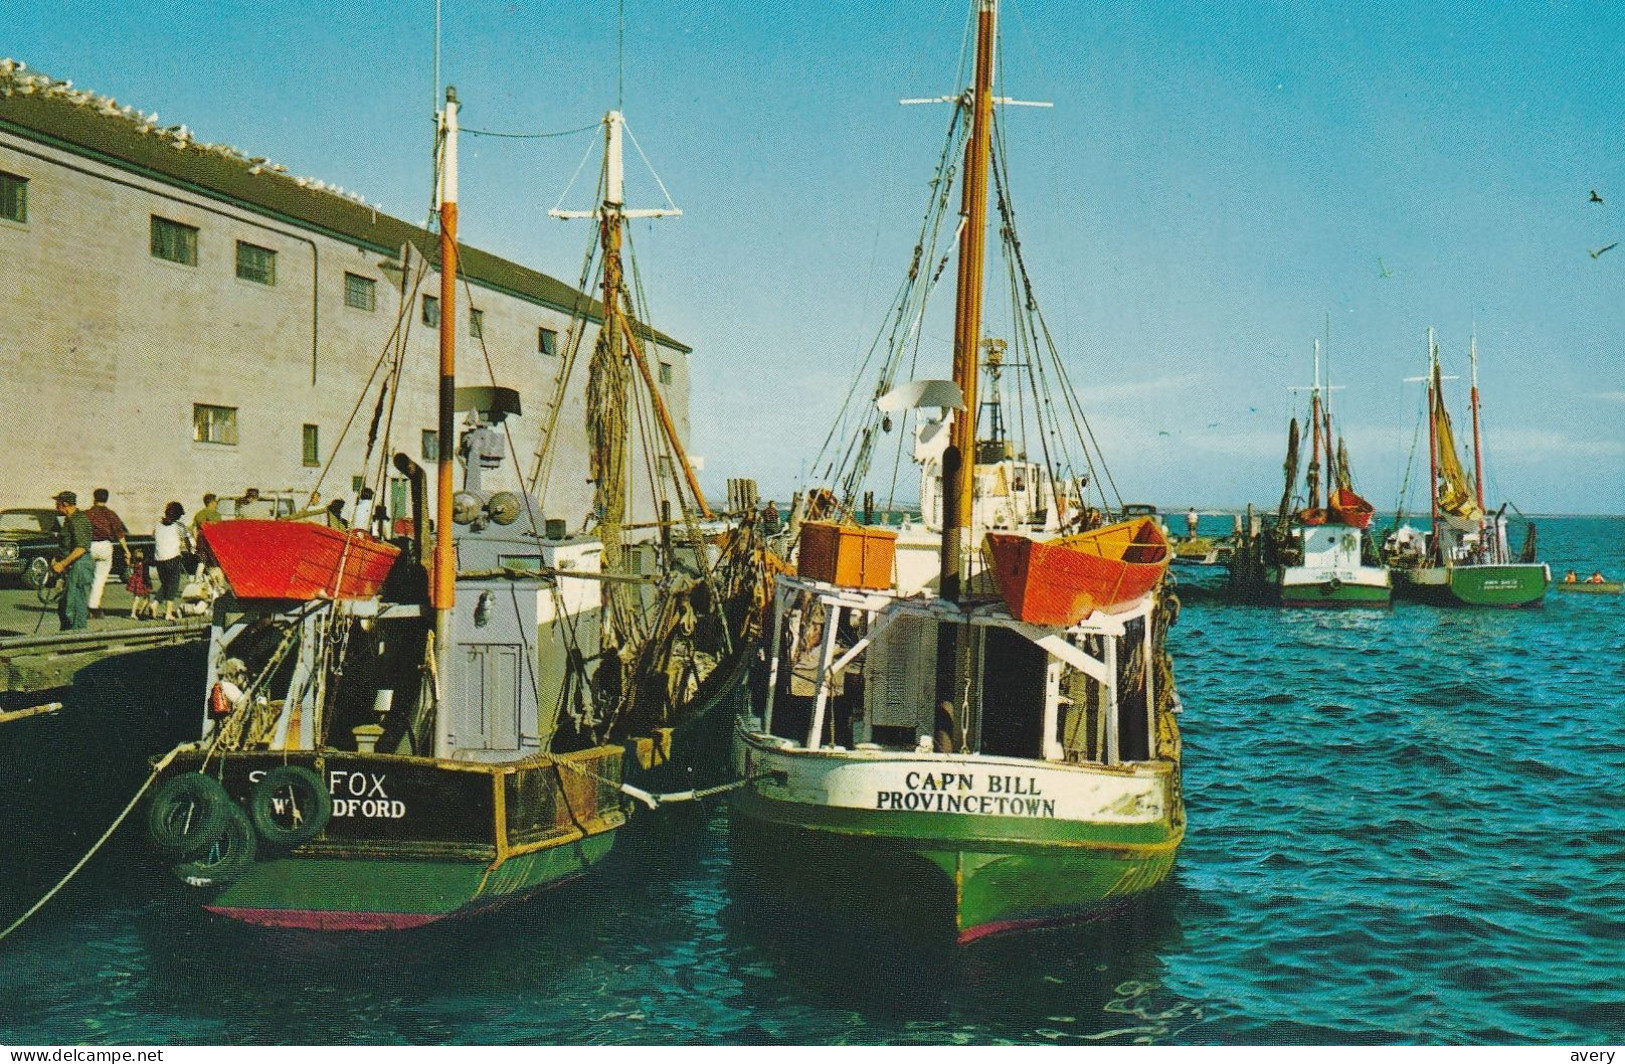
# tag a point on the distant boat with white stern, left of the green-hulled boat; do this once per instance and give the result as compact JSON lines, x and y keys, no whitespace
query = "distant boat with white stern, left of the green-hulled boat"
{"x":1317,"y":555}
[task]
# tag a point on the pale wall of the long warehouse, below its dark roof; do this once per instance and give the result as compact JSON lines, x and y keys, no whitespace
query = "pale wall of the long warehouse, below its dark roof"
{"x":105,"y":350}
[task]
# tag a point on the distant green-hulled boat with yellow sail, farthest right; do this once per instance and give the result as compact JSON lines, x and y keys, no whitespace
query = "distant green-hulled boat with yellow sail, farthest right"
{"x":1465,"y":560}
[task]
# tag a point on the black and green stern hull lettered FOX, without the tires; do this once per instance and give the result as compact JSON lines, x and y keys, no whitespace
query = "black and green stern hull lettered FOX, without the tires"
{"x":415,"y":841}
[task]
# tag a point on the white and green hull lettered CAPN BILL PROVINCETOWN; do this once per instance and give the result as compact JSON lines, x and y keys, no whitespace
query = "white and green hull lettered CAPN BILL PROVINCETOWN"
{"x":859,"y":833}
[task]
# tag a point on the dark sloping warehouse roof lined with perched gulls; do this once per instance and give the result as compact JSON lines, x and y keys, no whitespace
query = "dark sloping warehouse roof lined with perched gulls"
{"x":48,"y":111}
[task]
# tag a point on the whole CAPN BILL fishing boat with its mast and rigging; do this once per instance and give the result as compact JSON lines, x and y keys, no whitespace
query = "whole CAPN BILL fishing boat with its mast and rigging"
{"x":990,"y":745}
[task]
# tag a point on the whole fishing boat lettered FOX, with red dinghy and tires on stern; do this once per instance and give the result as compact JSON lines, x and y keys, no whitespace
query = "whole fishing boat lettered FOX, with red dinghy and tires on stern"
{"x":388,"y":751}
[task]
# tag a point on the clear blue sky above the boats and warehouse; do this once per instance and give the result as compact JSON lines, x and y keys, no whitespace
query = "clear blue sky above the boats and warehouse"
{"x":1216,"y":188}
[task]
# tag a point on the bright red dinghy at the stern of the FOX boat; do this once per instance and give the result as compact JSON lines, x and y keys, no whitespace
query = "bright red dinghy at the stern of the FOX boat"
{"x":298,"y":560}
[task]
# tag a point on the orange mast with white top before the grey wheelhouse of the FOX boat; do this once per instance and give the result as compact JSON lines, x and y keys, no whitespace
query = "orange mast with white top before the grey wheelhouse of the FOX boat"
{"x":444,"y":569}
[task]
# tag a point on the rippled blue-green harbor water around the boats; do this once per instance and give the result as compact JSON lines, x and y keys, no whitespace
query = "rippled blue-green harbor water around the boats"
{"x":1406,"y":826}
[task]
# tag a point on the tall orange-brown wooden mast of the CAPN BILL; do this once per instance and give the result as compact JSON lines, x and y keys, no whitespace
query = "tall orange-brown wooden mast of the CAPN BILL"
{"x":960,"y":464}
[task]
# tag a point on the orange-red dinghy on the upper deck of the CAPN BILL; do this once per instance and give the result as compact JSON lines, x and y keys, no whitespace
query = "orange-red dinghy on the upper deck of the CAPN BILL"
{"x":1060,"y":582}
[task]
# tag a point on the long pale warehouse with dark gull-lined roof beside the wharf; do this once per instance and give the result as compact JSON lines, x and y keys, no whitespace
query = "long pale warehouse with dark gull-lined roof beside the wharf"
{"x":183,"y":319}
